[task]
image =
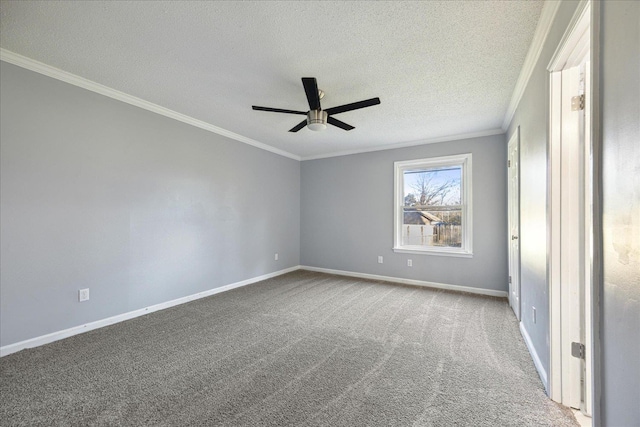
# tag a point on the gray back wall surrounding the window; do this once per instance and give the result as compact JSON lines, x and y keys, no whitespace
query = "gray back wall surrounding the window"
{"x":347,"y":215}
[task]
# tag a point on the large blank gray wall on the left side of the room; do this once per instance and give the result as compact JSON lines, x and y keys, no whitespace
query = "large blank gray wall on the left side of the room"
{"x":137,"y":207}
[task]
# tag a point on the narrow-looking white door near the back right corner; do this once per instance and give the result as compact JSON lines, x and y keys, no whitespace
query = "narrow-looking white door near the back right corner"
{"x":513,"y":197}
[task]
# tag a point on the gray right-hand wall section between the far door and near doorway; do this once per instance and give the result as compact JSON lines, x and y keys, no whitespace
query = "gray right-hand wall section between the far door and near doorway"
{"x":532,"y":116}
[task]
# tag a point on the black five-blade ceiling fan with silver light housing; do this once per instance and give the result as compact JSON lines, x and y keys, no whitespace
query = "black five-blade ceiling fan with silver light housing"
{"x":317,"y":118}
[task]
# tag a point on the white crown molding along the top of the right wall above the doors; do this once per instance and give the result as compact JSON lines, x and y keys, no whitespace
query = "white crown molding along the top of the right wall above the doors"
{"x":547,"y":16}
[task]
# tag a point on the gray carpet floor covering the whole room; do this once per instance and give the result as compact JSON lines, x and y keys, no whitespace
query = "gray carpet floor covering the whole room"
{"x":302,"y":349}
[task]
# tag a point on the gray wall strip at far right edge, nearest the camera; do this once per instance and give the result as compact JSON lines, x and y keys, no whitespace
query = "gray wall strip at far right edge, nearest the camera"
{"x":620,"y":91}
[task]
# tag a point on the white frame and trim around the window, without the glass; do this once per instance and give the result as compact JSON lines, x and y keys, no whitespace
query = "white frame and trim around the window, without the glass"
{"x":463,"y":160}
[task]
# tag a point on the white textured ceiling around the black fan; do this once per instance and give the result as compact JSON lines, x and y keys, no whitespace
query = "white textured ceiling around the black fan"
{"x":440,"y":68}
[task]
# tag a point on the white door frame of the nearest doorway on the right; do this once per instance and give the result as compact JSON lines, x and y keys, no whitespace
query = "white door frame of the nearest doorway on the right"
{"x":582,"y":33}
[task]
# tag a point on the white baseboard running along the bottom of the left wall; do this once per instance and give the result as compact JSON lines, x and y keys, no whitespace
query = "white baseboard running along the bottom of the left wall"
{"x":55,"y":336}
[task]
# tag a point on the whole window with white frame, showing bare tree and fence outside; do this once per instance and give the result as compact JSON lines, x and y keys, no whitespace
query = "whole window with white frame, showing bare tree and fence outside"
{"x":432,"y":212}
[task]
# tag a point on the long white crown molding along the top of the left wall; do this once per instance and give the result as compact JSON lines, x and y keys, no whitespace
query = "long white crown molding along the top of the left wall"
{"x":56,"y":73}
